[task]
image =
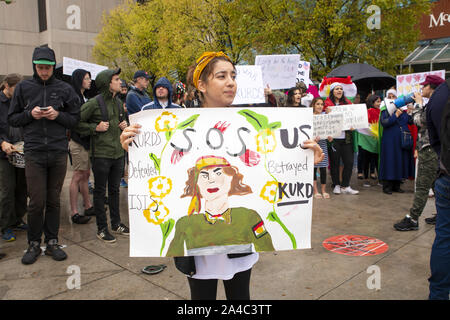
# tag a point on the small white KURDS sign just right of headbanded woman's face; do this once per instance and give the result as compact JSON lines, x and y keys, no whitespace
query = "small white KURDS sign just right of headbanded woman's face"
{"x":250,"y":87}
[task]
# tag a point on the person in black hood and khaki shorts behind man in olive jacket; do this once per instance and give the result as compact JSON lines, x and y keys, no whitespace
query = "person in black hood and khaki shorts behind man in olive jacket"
{"x":79,"y":151}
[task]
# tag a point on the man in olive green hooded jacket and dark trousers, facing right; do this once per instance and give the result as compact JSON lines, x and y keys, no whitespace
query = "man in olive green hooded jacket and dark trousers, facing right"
{"x":108,"y":157}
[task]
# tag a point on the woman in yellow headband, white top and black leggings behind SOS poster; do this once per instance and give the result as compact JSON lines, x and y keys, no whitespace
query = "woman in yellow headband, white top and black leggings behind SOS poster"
{"x":214,"y":77}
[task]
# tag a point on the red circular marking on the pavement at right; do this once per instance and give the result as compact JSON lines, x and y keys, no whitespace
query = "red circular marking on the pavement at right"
{"x":355,"y":245}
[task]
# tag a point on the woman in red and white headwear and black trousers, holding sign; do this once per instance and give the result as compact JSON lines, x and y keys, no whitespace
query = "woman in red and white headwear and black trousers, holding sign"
{"x":341,"y":147}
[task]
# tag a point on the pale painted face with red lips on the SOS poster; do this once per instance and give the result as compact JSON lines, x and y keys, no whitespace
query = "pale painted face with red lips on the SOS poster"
{"x":214,"y":183}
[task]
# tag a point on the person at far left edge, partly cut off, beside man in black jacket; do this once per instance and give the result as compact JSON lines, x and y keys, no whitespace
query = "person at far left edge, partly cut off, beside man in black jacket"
{"x":13,"y":186}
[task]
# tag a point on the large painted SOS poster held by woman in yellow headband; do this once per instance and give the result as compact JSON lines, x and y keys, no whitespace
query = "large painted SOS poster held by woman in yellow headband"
{"x":220,"y":180}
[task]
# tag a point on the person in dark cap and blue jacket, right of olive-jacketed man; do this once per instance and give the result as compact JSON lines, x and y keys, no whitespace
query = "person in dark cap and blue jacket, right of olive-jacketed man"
{"x":137,"y":97}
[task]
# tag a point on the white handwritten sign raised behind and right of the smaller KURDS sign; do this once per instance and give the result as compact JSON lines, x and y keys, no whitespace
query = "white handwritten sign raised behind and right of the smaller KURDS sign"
{"x":279,"y":71}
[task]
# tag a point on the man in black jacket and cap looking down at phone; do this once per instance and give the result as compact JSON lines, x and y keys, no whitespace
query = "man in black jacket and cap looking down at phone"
{"x":45,"y":107}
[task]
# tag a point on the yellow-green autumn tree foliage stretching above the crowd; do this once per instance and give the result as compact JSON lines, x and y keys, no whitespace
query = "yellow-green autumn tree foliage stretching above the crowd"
{"x":164,"y":37}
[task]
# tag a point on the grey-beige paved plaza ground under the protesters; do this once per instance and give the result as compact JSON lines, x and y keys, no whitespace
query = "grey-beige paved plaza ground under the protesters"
{"x":107,"y":271}
